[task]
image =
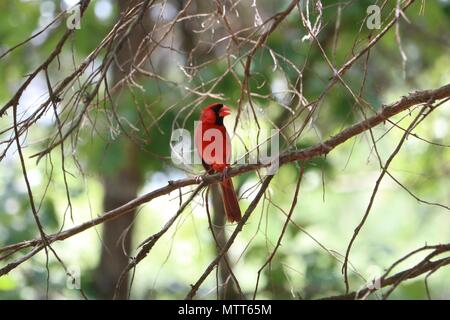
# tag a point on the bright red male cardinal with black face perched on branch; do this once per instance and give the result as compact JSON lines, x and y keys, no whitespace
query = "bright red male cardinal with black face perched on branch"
{"x":214,"y":147}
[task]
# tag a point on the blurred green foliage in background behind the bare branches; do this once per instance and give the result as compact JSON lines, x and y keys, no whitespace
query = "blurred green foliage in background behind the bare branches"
{"x":334,"y":192}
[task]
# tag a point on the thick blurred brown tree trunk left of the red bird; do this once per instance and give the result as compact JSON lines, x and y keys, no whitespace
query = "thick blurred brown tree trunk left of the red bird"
{"x":119,"y":189}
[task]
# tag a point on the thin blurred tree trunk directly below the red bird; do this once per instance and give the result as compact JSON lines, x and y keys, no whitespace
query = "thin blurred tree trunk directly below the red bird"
{"x":228,"y":290}
